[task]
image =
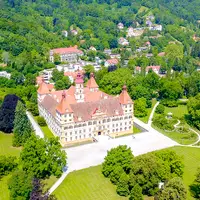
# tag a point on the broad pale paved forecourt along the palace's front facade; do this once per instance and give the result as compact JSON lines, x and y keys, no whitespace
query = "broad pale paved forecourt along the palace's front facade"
{"x":93,"y":154}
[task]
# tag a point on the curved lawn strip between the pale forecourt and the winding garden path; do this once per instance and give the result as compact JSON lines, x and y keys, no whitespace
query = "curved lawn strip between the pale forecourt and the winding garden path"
{"x":181,"y":138}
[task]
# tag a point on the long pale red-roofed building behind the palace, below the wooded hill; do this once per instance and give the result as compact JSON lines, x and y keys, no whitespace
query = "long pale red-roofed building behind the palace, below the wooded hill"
{"x":69,"y":54}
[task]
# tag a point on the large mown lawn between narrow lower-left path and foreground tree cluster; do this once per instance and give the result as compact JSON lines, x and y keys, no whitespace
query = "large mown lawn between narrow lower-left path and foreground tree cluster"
{"x":87,"y":184}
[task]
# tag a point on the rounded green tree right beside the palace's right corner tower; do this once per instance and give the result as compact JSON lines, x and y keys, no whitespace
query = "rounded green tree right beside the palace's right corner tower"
{"x":140,"y":107}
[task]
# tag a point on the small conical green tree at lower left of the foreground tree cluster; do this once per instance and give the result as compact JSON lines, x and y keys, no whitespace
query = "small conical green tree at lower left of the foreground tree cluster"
{"x":122,"y":185}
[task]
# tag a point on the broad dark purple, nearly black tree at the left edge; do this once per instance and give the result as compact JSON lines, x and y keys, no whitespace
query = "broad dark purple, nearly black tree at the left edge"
{"x":7,"y":113}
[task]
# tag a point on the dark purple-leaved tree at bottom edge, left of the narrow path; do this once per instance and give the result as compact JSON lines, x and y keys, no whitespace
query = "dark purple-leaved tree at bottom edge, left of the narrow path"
{"x":38,"y":192}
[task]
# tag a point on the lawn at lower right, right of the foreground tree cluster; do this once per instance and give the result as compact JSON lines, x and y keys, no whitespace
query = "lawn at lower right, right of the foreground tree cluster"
{"x":191,"y":159}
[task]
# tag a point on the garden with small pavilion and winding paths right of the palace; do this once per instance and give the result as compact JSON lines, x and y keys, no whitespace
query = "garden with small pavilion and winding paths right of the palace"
{"x":171,"y":121}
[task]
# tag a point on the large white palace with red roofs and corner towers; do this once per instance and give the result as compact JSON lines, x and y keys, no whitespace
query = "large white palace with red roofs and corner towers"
{"x":82,"y":113}
